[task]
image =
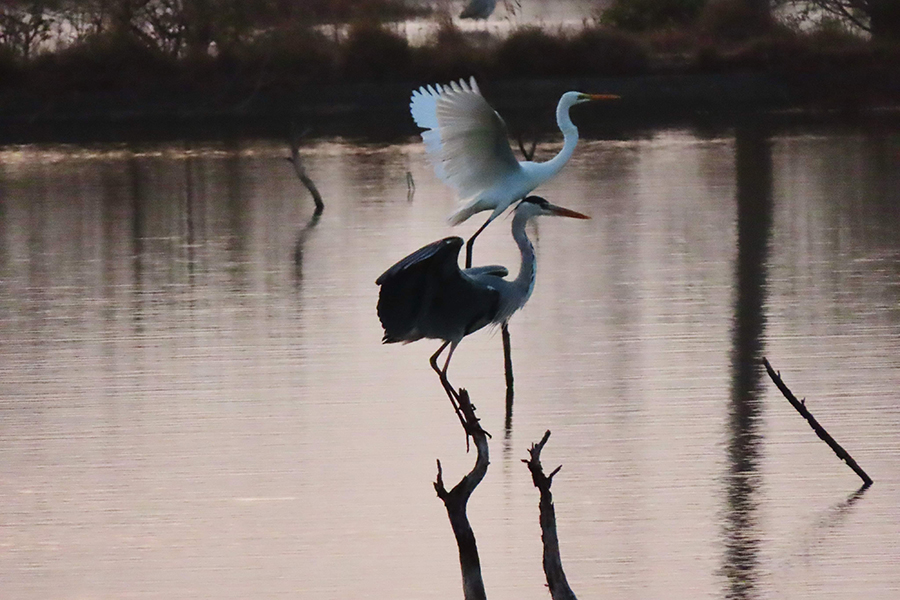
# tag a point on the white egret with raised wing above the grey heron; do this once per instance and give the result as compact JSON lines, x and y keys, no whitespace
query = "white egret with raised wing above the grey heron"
{"x":467,"y":143}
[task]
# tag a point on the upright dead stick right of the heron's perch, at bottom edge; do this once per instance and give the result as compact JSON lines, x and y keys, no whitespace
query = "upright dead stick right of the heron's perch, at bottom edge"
{"x":556,"y":577}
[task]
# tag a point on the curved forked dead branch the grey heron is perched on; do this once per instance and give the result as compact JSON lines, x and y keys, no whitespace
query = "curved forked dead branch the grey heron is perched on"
{"x":456,"y":499}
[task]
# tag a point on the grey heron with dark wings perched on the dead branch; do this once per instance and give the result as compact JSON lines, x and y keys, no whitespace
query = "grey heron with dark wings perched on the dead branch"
{"x":427,"y":295}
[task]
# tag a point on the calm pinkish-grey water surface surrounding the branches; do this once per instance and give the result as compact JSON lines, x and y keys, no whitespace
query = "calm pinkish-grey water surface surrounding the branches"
{"x":194,"y":400}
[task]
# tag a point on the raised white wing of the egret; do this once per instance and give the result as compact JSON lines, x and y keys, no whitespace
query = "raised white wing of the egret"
{"x":466,"y":139}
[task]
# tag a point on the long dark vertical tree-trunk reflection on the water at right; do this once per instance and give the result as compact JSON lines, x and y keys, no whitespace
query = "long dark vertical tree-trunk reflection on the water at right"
{"x":753,"y":159}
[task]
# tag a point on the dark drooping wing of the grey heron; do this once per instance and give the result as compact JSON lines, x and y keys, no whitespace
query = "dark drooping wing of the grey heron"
{"x":425,"y":295}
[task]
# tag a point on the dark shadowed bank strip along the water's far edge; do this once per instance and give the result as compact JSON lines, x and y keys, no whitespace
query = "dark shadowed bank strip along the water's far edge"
{"x":379,"y":110}
